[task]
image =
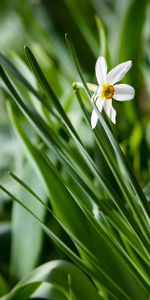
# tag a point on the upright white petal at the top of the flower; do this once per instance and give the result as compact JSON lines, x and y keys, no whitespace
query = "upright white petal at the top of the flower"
{"x":101,"y":70}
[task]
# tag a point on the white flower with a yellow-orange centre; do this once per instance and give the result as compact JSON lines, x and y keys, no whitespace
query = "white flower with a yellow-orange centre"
{"x":108,"y":89}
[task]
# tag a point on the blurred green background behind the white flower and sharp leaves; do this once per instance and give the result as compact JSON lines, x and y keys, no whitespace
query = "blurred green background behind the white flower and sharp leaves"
{"x":42,"y":26}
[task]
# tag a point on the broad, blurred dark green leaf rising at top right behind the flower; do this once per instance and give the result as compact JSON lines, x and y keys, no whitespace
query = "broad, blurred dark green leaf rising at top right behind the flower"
{"x":131,"y":47}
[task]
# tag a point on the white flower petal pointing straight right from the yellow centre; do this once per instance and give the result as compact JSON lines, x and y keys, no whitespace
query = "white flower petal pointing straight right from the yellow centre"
{"x":123,"y":92}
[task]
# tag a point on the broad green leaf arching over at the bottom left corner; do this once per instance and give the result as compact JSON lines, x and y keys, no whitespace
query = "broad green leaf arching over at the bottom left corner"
{"x":55,"y":280}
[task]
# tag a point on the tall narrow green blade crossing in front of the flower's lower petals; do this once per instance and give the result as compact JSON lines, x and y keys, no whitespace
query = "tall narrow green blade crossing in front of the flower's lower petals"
{"x":135,"y":189}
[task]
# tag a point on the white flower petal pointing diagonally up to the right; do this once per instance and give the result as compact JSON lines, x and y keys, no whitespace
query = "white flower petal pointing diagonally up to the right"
{"x":117,"y":73}
